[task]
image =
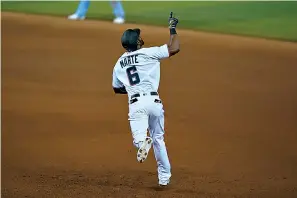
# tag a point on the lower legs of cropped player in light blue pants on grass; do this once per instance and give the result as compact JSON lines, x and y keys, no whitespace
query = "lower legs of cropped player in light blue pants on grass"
{"x":83,"y":6}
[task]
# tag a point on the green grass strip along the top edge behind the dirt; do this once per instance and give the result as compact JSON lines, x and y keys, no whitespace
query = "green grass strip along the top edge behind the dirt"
{"x":277,"y":20}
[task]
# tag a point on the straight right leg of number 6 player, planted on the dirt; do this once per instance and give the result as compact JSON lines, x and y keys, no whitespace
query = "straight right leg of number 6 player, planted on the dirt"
{"x":156,"y":129}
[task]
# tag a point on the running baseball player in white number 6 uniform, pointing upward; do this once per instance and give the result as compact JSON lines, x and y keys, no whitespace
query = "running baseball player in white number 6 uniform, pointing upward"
{"x":137,"y":74}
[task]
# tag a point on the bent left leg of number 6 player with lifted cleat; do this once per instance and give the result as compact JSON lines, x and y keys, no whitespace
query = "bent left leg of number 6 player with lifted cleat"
{"x":139,"y":124}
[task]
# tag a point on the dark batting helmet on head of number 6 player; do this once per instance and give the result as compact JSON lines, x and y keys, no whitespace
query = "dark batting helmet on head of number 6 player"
{"x":130,"y":39}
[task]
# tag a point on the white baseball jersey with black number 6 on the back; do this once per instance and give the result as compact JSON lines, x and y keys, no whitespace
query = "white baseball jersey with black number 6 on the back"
{"x":139,"y":71}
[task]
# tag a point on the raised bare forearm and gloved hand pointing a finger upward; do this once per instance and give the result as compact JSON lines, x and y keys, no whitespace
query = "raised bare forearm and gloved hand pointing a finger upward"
{"x":173,"y":45}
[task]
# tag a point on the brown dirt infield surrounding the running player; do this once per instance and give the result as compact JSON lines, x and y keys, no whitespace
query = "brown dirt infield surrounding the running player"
{"x":230,"y":106}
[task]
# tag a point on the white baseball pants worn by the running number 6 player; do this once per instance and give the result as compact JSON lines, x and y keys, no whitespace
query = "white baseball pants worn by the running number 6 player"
{"x":148,"y":114}
